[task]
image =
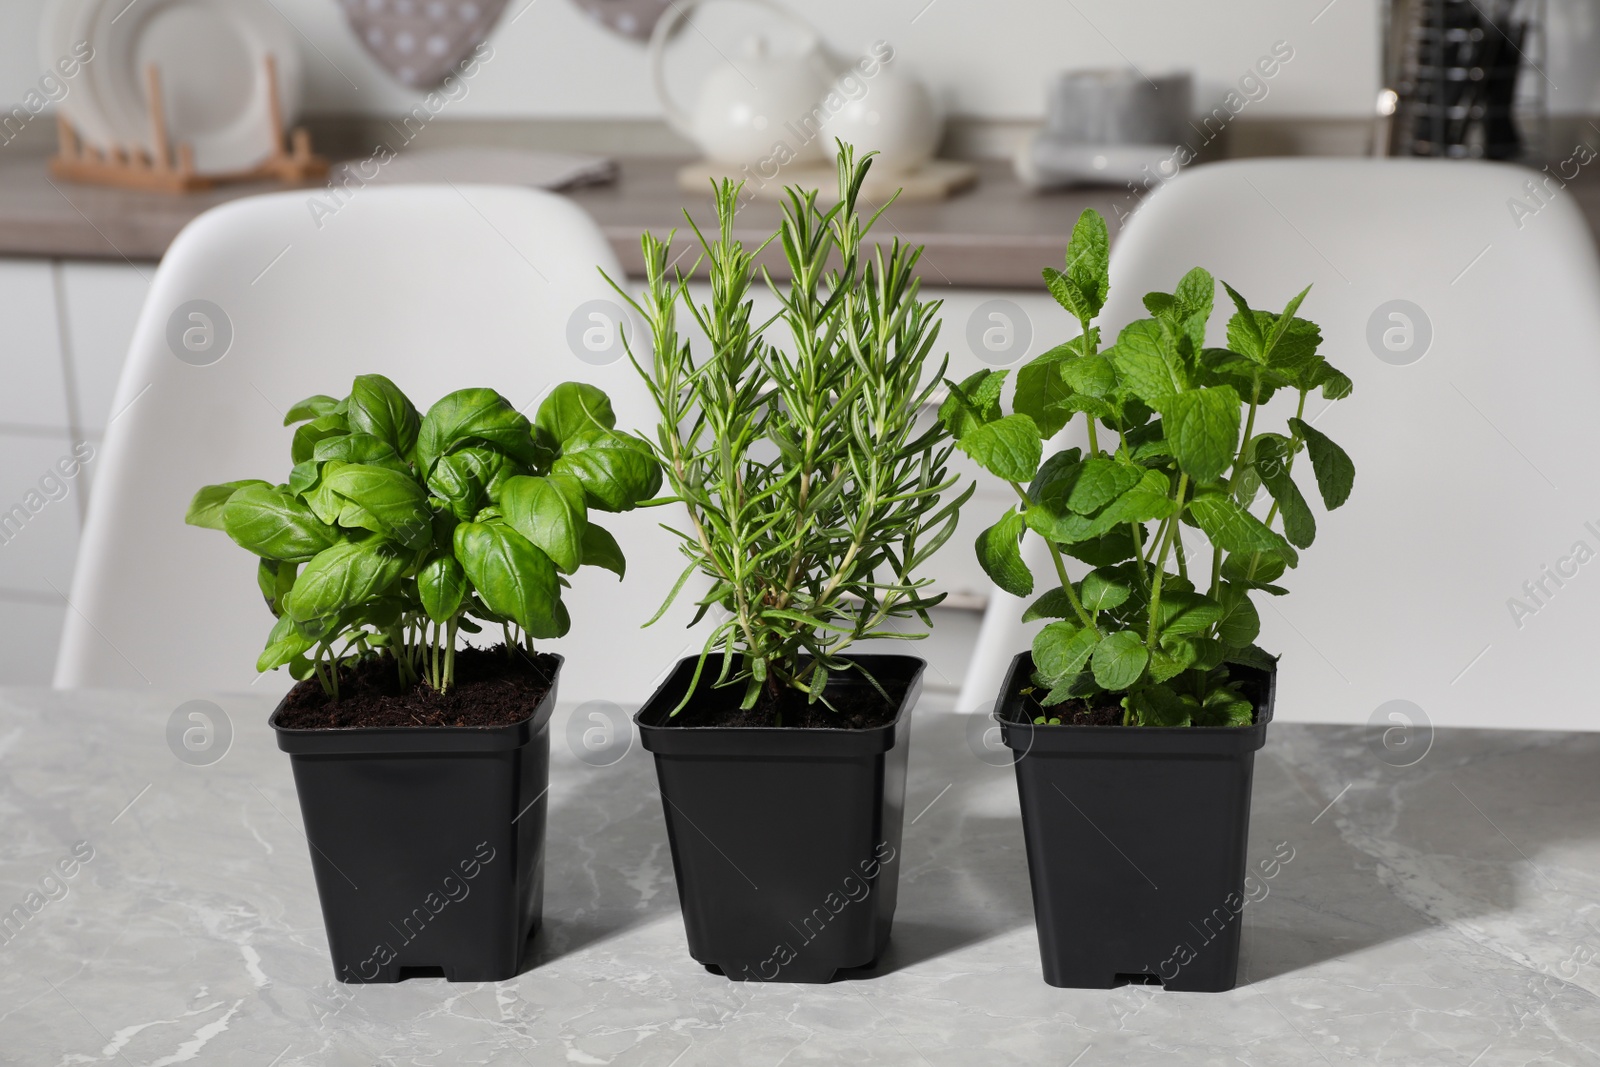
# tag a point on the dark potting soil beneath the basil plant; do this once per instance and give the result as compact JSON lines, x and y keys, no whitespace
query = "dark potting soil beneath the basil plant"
{"x":492,"y":690}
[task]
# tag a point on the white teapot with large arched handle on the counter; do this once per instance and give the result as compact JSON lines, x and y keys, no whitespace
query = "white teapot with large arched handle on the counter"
{"x":746,"y":111}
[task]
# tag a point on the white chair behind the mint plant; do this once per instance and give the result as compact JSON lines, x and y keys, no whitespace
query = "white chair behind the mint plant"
{"x":1476,"y":478}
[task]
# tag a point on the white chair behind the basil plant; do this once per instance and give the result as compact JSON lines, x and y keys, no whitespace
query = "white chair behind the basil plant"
{"x":438,"y":287}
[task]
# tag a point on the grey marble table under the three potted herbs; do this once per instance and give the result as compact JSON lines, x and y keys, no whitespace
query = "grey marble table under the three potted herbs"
{"x":1446,"y":913}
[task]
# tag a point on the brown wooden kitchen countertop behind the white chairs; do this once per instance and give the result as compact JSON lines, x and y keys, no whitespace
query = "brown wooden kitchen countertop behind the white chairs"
{"x":996,"y":234}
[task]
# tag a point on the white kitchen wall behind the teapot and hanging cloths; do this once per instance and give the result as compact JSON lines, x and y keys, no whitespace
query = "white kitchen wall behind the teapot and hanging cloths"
{"x":988,"y":58}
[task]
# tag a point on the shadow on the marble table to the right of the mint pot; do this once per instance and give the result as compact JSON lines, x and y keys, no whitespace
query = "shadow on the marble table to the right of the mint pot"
{"x":1452,"y":839}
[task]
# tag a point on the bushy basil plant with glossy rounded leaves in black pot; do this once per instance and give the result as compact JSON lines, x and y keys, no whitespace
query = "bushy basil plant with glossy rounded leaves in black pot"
{"x":422,"y":769}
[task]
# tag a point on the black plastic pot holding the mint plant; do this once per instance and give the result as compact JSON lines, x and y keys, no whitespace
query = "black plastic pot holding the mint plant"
{"x":1137,"y":842}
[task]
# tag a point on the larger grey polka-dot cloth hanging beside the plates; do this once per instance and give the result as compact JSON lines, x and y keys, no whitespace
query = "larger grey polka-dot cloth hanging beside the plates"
{"x":422,"y":41}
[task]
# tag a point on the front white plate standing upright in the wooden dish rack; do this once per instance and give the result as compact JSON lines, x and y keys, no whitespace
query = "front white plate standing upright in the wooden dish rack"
{"x":214,"y":82}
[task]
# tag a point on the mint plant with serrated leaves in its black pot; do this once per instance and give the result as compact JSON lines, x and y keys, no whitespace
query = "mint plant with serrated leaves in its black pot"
{"x":1138,"y":711}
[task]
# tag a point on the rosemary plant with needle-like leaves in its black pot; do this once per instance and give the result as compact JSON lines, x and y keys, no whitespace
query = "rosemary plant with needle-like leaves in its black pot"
{"x":814,"y":494}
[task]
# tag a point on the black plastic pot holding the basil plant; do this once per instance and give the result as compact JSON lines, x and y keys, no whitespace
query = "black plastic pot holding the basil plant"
{"x":428,"y":844}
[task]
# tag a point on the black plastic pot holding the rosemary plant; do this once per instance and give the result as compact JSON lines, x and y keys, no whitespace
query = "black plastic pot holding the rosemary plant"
{"x":785,"y":841}
